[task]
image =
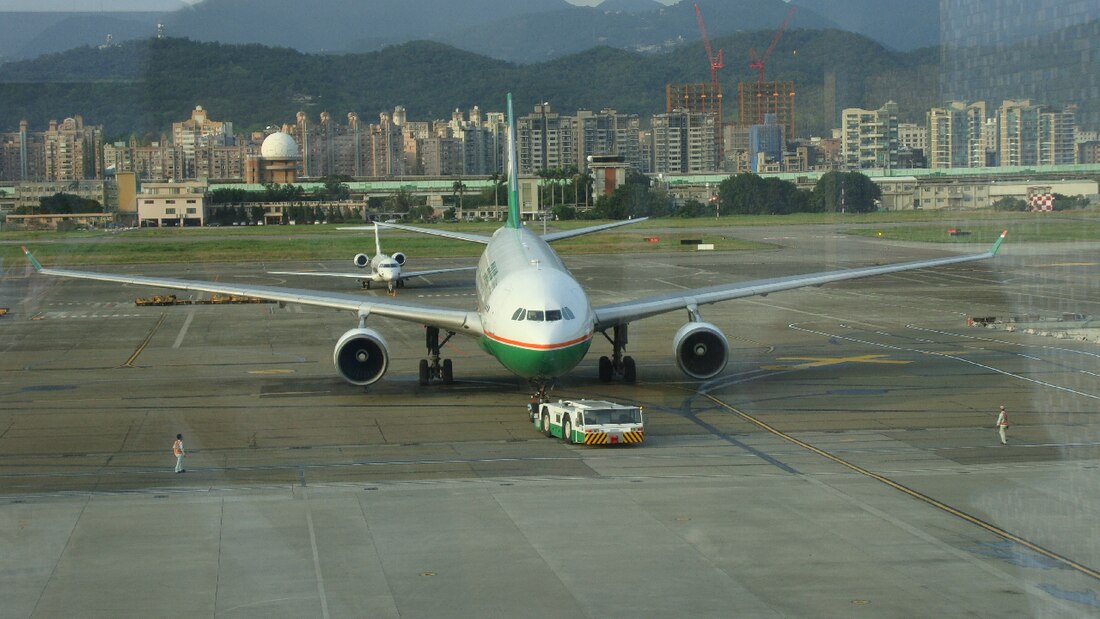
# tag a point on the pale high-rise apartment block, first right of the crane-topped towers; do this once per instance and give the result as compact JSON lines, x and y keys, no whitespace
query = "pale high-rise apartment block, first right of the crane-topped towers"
{"x":870,"y":138}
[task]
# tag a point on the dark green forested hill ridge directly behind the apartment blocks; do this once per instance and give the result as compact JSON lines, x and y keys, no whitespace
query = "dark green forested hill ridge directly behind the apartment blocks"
{"x":142,"y":87}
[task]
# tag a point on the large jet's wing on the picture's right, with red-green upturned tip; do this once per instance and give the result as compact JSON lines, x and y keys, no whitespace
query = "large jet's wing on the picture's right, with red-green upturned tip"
{"x":621,"y":314}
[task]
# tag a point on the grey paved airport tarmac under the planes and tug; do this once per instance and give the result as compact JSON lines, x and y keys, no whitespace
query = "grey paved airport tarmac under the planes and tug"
{"x":845,"y":463}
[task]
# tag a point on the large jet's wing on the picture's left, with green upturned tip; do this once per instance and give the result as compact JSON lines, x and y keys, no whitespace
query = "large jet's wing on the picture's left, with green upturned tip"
{"x":460,"y":322}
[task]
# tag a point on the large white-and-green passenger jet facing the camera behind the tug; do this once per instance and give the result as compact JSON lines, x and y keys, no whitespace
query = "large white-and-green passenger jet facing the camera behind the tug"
{"x":532,"y":315}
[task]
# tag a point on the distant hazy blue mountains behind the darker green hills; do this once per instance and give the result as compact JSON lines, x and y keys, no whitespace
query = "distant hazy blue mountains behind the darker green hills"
{"x":521,"y":31}
